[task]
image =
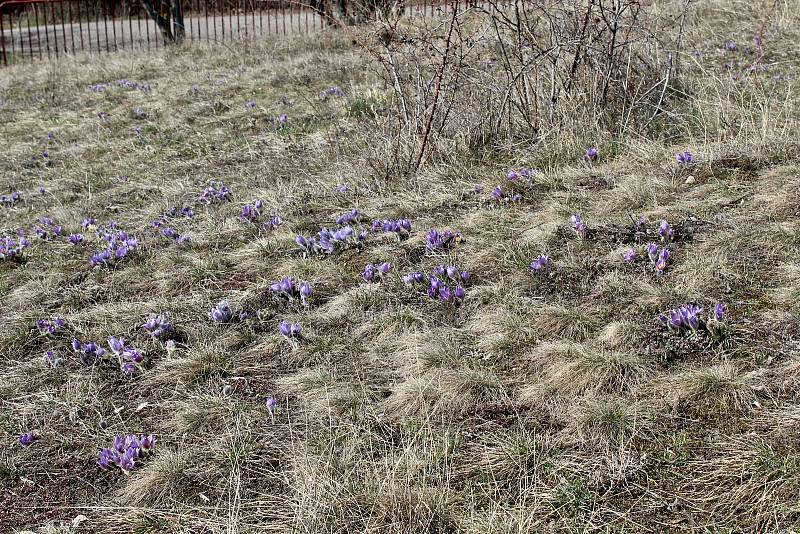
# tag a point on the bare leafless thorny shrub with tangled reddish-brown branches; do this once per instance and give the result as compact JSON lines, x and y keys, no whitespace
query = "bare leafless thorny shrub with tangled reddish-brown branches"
{"x":522,"y":70}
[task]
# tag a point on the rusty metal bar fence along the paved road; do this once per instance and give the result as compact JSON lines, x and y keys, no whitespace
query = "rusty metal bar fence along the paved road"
{"x":41,"y":29}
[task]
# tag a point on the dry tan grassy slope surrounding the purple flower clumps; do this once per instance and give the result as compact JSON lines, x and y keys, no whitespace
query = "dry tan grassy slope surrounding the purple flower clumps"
{"x":549,"y":402}
